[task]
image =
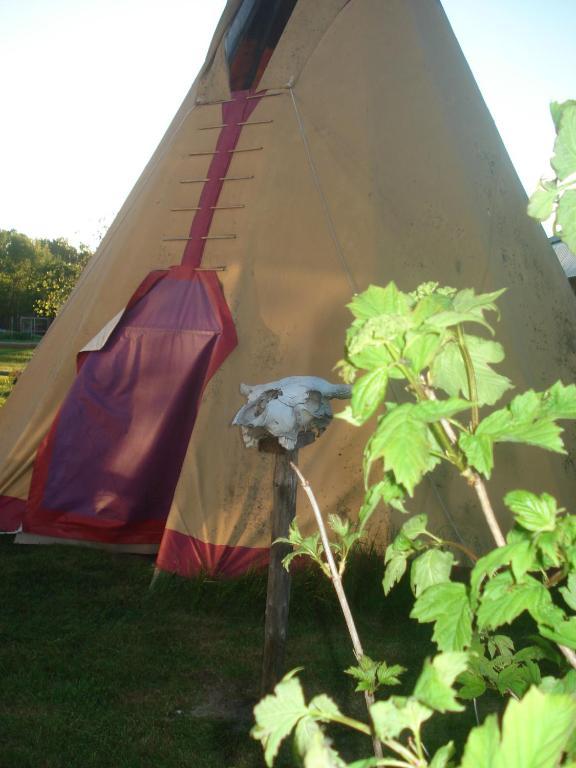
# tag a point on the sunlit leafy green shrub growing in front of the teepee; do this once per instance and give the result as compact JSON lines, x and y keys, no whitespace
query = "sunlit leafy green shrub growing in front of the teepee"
{"x":433,"y":344}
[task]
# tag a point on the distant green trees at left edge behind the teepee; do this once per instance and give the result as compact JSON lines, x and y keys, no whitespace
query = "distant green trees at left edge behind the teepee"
{"x":36,"y":275}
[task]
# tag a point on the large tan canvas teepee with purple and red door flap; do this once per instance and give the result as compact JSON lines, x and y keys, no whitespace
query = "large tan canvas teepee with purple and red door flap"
{"x":324,"y":146}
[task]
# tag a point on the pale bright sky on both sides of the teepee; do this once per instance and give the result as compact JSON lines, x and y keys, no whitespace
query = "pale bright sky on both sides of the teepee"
{"x":89,"y":86}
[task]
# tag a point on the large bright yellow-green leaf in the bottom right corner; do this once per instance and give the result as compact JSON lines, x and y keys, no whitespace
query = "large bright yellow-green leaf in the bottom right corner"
{"x":536,"y":730}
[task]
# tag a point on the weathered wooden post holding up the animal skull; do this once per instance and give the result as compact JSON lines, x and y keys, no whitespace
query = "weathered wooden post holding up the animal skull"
{"x":278,"y":594}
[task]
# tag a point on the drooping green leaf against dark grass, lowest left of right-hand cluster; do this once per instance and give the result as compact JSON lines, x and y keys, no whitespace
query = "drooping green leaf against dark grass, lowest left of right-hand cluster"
{"x":448,"y":607}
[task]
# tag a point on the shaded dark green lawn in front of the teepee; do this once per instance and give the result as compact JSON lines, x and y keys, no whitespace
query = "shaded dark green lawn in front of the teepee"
{"x":97,"y":671}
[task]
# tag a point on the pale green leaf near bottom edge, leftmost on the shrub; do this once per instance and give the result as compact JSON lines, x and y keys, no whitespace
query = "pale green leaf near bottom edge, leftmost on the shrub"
{"x":277,"y":715}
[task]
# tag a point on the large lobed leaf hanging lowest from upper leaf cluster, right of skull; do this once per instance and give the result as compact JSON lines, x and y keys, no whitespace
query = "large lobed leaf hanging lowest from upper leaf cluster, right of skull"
{"x":402,"y":440}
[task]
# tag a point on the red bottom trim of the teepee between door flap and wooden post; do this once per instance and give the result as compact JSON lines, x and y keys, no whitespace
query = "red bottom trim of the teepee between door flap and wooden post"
{"x":188,"y":556}
